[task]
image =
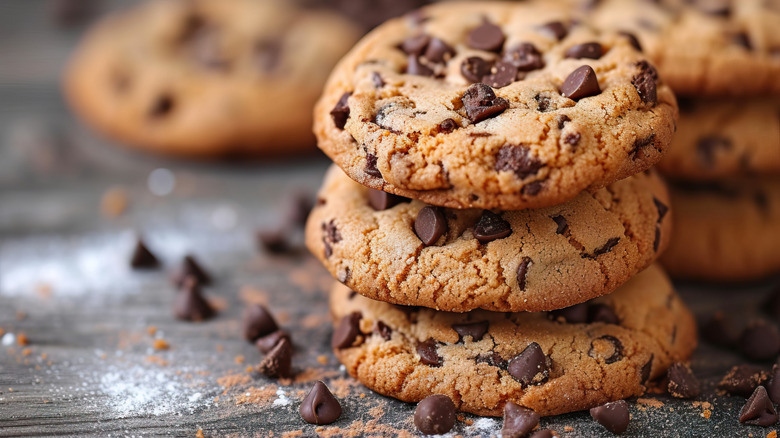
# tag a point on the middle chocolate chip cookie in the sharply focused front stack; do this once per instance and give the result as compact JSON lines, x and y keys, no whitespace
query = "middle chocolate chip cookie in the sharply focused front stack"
{"x":403,"y":251}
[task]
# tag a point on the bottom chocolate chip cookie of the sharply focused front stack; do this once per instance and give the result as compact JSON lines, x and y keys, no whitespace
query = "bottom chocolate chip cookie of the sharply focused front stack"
{"x":551,"y":362}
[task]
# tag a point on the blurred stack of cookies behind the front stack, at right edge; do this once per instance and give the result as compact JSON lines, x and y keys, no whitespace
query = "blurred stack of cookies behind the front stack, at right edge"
{"x":723,"y":58}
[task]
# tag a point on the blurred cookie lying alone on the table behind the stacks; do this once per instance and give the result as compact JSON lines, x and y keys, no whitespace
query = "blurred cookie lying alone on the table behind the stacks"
{"x":207,"y":78}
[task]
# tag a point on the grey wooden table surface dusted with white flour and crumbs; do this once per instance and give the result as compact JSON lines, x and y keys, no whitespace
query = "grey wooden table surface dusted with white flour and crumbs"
{"x":90,"y":368}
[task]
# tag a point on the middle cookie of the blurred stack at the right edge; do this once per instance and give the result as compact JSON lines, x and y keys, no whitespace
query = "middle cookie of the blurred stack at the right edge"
{"x":719,"y":138}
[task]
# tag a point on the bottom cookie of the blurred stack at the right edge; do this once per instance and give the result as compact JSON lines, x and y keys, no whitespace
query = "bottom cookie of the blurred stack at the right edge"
{"x":725,"y":232}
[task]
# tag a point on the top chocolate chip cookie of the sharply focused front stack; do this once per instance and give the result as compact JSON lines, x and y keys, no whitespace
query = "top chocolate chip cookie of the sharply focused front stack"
{"x":493,"y":105}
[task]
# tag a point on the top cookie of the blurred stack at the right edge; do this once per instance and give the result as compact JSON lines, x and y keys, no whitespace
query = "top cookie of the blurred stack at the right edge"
{"x":702,"y":47}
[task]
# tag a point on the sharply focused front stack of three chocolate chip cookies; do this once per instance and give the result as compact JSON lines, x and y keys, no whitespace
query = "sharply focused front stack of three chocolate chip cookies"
{"x":491,"y":220}
